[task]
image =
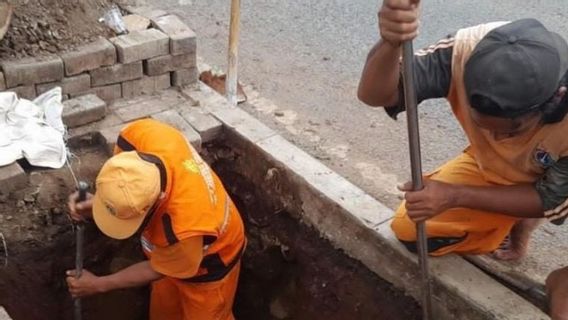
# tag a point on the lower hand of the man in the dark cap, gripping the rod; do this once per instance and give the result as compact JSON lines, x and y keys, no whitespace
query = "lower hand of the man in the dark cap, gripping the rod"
{"x":435,"y":198}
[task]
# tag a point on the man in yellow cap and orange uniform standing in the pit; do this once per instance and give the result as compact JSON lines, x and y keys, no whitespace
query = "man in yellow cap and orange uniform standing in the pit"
{"x":191,"y":232}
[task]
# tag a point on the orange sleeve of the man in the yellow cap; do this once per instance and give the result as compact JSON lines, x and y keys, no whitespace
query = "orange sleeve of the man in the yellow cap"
{"x":180,"y":260}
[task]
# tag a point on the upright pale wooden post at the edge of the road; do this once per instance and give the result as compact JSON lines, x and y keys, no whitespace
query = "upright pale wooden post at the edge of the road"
{"x":232,"y":78}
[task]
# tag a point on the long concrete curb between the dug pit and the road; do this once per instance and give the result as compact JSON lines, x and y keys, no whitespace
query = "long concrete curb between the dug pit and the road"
{"x":358,"y":224}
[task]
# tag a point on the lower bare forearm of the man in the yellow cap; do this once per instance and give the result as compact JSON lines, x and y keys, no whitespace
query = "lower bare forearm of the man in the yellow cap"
{"x":134,"y":276}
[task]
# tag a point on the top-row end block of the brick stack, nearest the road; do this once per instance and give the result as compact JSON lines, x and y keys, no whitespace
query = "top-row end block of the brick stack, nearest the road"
{"x":182,"y":38}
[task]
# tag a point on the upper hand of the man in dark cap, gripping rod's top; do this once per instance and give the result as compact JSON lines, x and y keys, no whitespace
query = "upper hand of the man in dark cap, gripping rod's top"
{"x":398,"y":21}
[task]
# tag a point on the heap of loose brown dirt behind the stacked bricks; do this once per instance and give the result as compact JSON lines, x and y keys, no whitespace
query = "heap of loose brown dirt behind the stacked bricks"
{"x":41,"y":27}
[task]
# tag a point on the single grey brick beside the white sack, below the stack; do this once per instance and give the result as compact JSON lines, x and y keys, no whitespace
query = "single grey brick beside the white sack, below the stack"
{"x":82,"y":110}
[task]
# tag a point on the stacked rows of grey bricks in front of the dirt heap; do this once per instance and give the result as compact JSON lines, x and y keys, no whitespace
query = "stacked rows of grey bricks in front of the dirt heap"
{"x":141,"y":62}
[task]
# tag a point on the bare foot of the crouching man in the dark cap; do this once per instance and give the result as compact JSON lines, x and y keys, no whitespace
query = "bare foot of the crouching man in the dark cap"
{"x":515,"y":246}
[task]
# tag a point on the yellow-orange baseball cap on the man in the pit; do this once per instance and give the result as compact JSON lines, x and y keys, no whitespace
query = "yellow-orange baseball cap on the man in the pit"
{"x":127,"y":188}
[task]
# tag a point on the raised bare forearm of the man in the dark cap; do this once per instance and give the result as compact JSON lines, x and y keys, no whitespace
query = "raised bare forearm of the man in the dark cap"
{"x":379,"y":81}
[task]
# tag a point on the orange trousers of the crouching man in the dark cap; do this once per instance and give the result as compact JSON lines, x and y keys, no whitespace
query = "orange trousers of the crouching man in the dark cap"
{"x":469,"y":231}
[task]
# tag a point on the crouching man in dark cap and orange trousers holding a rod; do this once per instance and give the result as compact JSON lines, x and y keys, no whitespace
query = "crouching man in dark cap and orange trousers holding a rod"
{"x":506,"y":84}
